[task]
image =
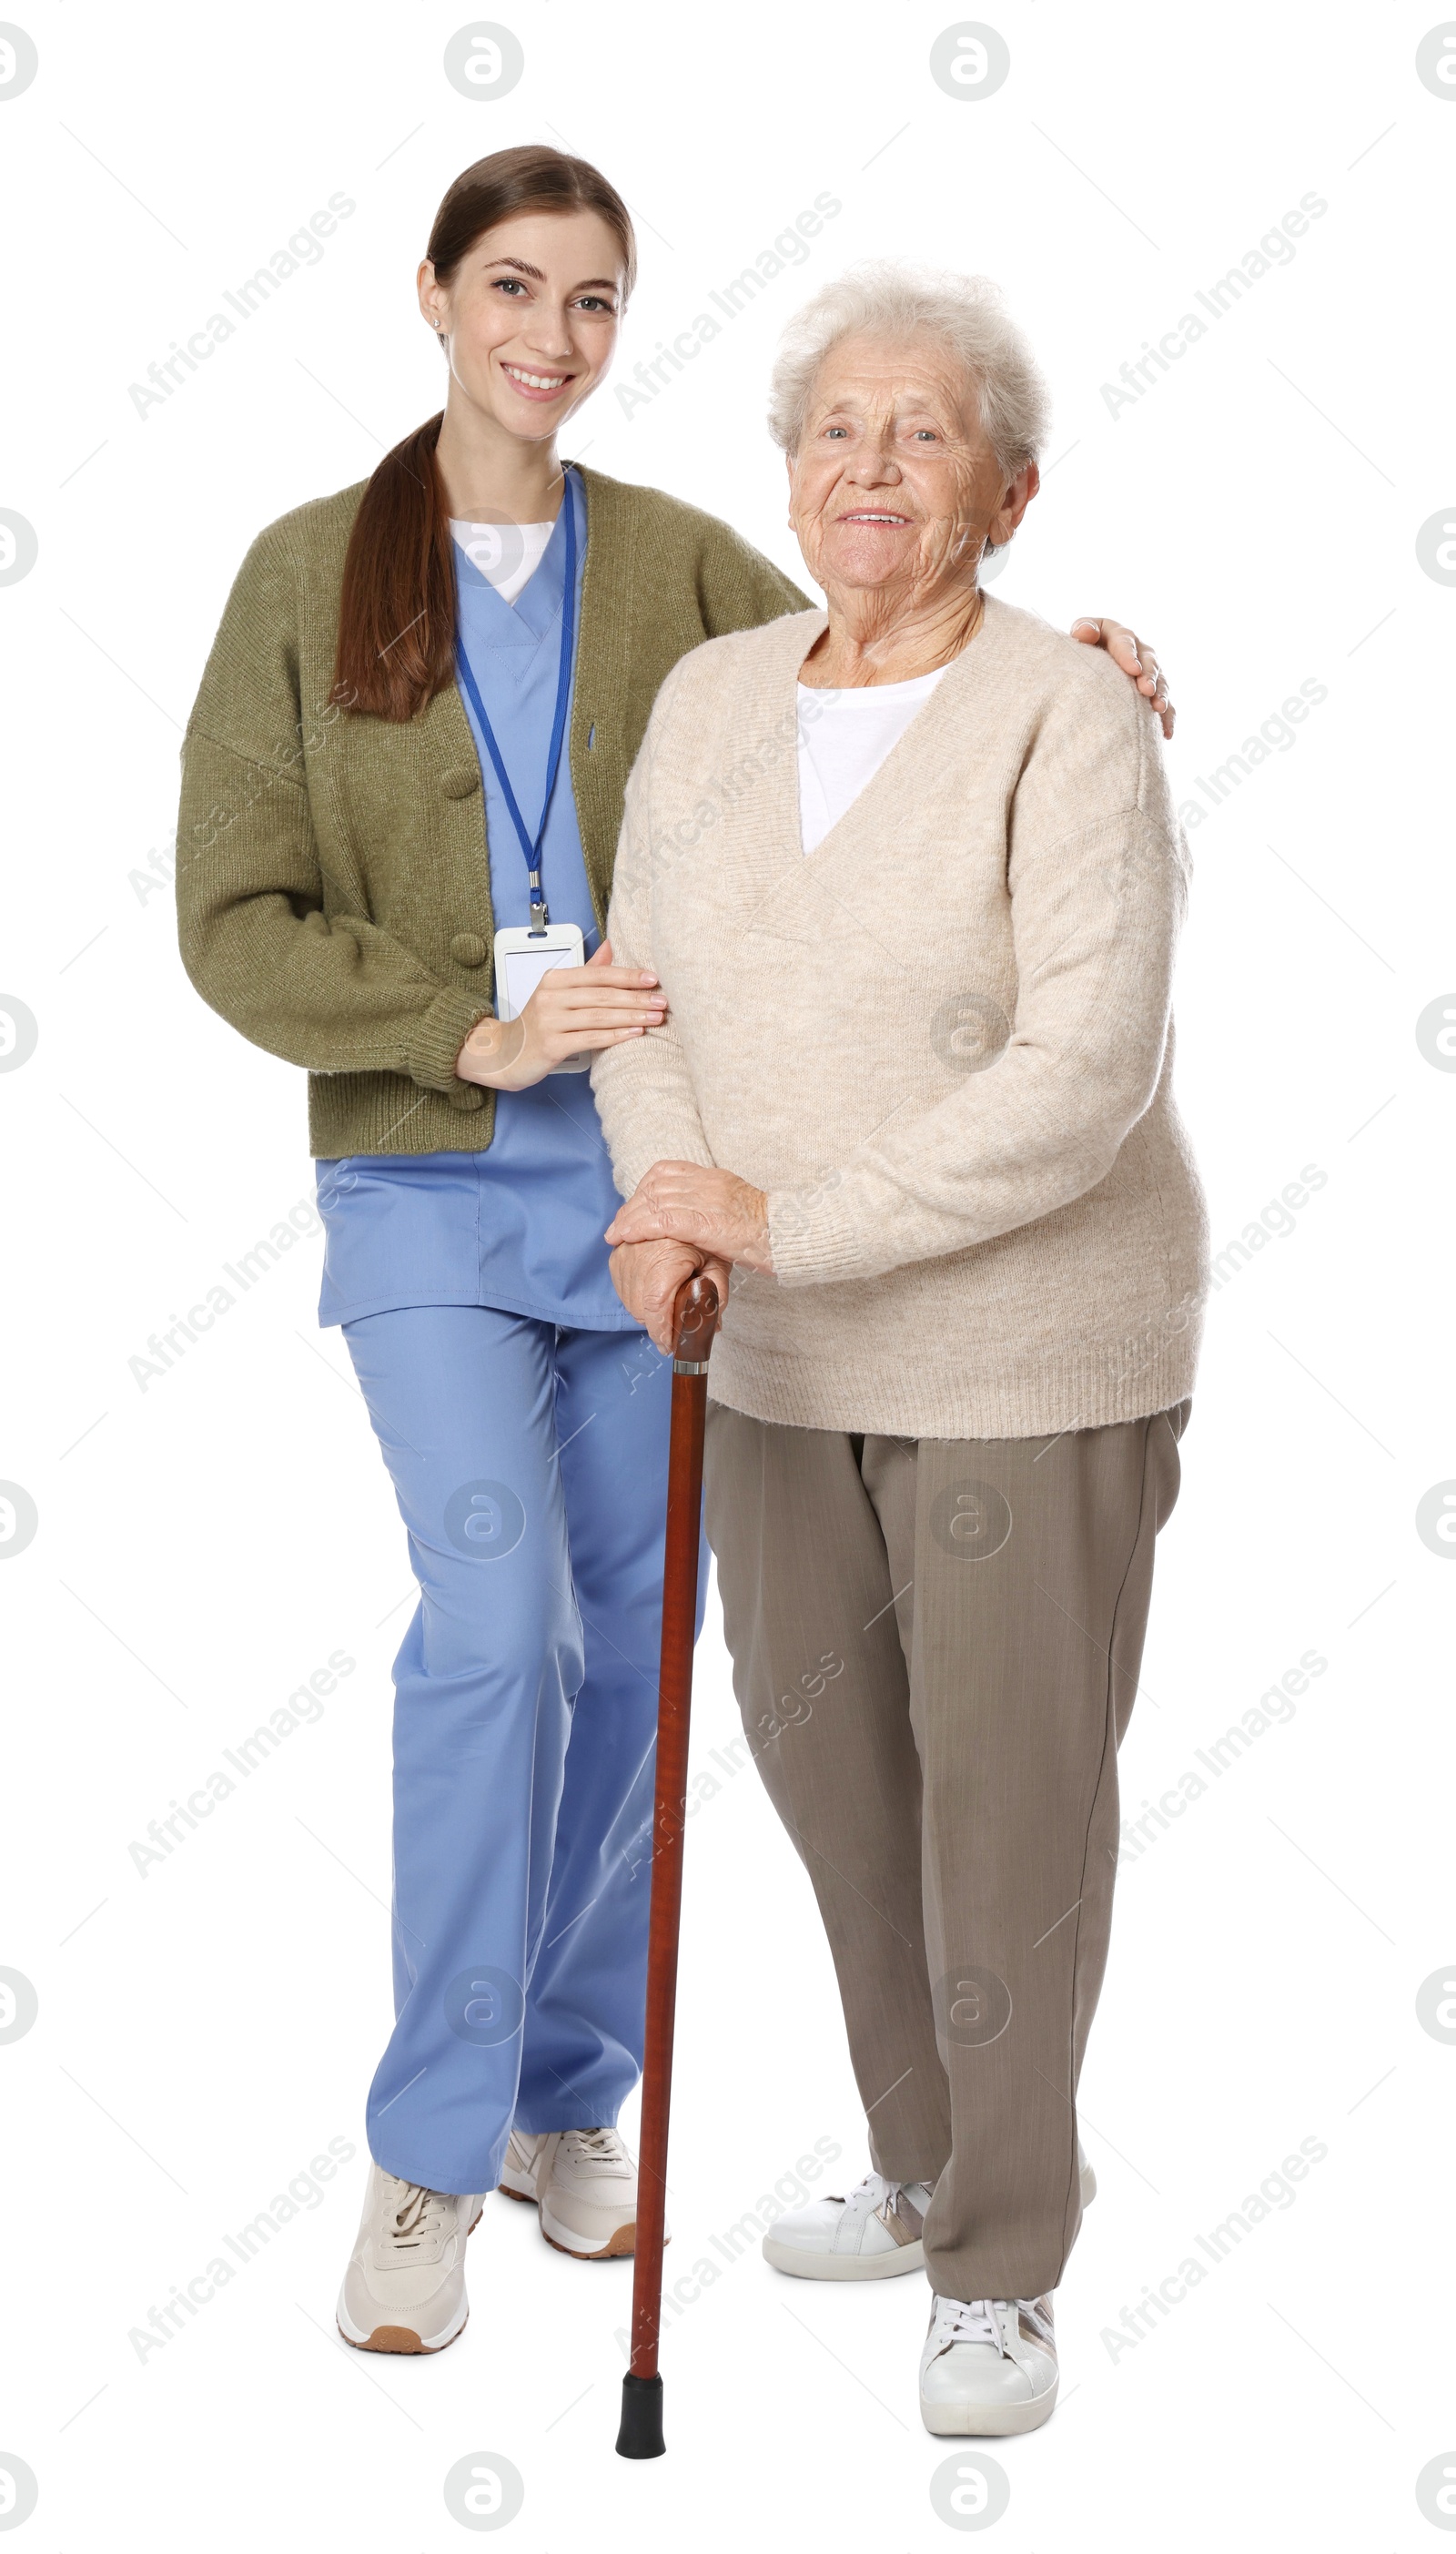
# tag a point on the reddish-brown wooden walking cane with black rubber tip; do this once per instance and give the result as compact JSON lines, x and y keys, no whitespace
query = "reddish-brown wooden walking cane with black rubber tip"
{"x":694,"y":1327}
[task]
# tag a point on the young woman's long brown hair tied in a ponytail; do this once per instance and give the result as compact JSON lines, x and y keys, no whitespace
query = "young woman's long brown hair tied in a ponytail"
{"x":397,"y":607}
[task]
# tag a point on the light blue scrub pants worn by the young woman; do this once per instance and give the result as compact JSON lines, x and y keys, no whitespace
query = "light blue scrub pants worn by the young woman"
{"x":530,"y":1470}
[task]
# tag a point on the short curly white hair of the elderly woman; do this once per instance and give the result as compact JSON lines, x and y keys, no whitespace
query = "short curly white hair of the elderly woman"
{"x":895,"y":300}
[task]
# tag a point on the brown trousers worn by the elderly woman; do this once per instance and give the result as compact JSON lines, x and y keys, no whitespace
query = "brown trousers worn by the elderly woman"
{"x":936,"y":1651}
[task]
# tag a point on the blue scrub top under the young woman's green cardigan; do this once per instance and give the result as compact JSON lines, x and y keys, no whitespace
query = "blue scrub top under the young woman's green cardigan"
{"x":517,"y":1227}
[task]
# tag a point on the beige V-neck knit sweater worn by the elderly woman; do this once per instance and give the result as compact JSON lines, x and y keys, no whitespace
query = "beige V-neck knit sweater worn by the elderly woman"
{"x":941,"y":1043}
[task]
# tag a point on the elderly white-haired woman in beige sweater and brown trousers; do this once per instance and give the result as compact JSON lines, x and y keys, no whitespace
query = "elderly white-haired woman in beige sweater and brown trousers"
{"x":911,"y":877}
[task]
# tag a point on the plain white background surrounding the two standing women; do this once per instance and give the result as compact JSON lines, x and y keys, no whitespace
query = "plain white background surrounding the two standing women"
{"x":208,"y":1541}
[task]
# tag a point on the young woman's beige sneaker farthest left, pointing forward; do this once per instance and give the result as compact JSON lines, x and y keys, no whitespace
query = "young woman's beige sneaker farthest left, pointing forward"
{"x":405,"y":2287}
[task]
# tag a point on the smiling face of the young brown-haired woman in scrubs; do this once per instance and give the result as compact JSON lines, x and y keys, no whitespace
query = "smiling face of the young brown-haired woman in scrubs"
{"x":530,"y":318}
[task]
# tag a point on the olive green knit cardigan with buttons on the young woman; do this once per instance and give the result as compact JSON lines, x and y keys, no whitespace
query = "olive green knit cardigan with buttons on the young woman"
{"x":333,"y":880}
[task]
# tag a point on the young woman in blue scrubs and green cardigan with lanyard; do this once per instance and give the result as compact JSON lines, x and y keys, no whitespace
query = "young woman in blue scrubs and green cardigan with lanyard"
{"x":413,"y":732}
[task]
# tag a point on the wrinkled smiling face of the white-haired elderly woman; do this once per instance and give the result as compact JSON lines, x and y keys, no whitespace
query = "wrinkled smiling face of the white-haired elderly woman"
{"x":895,"y":487}
